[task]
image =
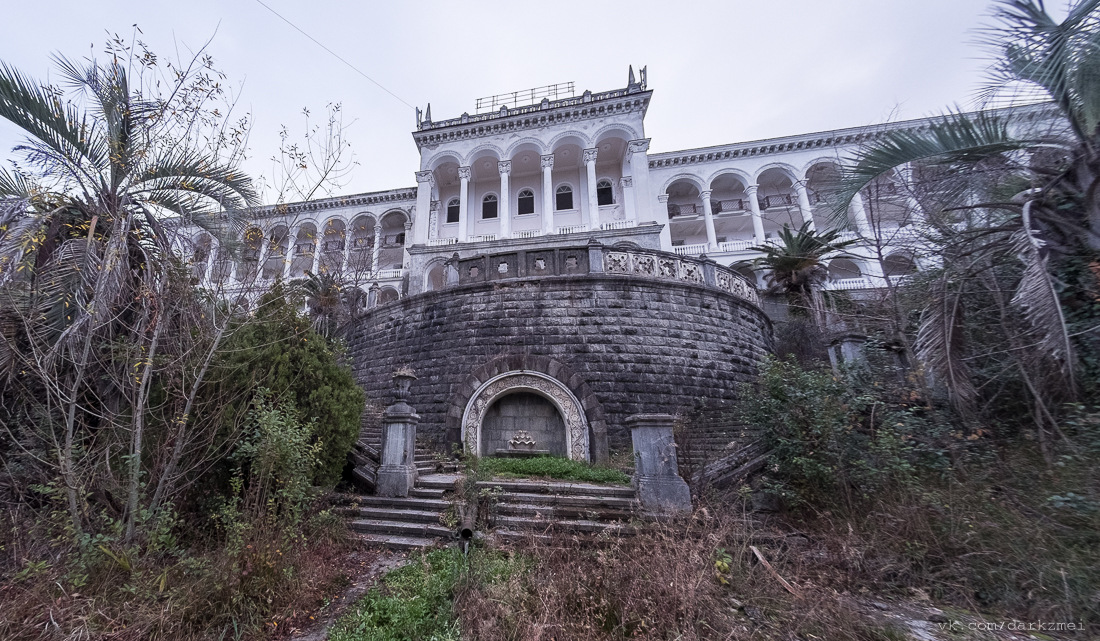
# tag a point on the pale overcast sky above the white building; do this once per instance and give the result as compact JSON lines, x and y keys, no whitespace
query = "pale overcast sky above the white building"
{"x":721,"y":72}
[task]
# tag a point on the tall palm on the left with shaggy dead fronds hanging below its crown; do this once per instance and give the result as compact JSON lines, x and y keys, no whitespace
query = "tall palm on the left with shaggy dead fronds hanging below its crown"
{"x":87,"y":257}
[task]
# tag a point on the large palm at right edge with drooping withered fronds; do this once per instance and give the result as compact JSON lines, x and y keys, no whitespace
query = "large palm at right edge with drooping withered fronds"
{"x":1058,"y":216}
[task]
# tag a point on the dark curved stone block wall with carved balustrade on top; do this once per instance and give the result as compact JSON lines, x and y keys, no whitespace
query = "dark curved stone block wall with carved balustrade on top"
{"x":622,"y":341}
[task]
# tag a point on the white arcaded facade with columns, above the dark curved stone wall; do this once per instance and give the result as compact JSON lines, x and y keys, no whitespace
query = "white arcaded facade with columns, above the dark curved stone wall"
{"x":546,"y":173}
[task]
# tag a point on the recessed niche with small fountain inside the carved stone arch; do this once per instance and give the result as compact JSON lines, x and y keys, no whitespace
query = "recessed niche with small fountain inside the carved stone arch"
{"x":523,"y":416}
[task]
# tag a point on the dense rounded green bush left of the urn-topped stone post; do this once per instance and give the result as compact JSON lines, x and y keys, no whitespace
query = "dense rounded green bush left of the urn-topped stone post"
{"x":277,"y":350}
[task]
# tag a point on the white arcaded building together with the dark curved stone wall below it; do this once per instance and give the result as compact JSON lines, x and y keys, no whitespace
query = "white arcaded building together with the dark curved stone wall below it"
{"x":547,"y":269}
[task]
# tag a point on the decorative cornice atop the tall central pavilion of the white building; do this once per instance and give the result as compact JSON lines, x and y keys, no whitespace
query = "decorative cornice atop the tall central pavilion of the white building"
{"x":541,"y":116}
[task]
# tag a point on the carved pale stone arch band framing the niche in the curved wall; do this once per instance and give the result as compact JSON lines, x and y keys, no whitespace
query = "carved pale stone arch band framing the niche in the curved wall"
{"x":568,"y":406}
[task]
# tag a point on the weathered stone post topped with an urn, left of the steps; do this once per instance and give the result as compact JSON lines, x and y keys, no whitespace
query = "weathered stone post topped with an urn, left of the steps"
{"x":398,"y":473}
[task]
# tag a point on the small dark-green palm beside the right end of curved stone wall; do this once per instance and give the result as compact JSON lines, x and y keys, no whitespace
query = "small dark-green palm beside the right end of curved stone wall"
{"x":795,"y":268}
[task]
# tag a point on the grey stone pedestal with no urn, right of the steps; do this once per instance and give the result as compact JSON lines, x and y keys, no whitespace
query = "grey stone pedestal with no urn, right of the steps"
{"x":656,"y":473}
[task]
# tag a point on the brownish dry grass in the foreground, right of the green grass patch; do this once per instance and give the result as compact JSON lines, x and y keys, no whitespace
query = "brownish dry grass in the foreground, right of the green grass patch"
{"x":695,"y":580}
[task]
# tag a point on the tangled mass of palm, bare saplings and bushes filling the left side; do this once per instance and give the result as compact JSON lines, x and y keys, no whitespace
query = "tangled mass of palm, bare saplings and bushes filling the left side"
{"x":164,"y":455}
